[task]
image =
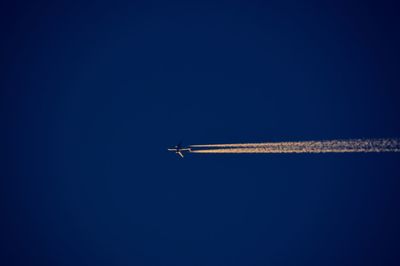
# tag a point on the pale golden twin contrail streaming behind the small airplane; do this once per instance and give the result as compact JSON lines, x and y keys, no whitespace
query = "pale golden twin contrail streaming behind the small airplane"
{"x":324,"y":146}
